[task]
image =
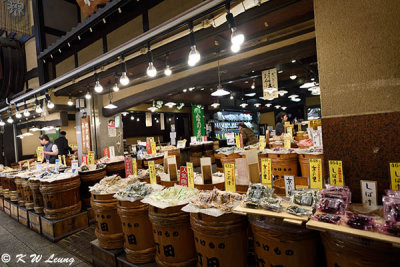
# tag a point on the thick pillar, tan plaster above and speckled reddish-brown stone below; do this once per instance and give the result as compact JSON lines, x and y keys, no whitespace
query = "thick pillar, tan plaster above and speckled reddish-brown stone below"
{"x":359,"y":72}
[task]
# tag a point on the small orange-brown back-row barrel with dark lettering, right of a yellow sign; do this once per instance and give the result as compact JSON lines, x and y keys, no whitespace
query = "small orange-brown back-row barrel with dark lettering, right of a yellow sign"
{"x":283,"y":164}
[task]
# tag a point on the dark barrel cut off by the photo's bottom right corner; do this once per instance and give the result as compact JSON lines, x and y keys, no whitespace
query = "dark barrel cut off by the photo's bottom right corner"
{"x":346,"y":250}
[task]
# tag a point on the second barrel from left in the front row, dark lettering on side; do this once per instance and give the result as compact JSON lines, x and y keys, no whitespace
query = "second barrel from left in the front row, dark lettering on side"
{"x":139,"y":244}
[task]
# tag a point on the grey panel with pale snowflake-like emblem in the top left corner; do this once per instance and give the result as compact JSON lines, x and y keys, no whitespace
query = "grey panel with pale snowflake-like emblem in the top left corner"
{"x":14,"y":16}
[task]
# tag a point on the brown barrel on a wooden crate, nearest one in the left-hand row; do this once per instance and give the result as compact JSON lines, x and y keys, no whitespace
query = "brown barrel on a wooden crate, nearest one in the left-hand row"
{"x":61,"y":198}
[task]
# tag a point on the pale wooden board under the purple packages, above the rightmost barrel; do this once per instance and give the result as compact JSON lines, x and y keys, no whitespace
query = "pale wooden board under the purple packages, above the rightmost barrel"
{"x":321,"y":226}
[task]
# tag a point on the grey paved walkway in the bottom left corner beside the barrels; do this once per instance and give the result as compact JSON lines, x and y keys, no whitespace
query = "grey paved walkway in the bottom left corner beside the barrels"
{"x":17,"y":240}
